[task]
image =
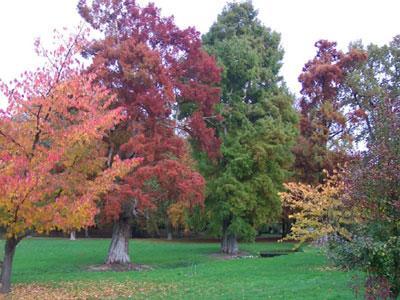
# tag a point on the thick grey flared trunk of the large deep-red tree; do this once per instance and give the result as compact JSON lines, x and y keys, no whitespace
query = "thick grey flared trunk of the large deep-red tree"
{"x":118,"y":252}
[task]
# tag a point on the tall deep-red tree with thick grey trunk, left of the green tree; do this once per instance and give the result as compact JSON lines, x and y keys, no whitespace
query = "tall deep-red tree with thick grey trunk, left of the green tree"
{"x":168,"y":86}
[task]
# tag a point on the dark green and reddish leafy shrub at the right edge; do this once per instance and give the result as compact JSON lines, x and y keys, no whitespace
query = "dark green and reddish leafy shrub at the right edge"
{"x":372,"y":188}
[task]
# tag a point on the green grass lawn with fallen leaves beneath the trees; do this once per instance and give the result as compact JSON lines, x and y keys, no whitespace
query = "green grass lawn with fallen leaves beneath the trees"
{"x":51,"y":268}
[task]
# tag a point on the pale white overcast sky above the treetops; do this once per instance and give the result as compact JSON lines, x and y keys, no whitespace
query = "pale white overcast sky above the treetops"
{"x":300,"y":23}
